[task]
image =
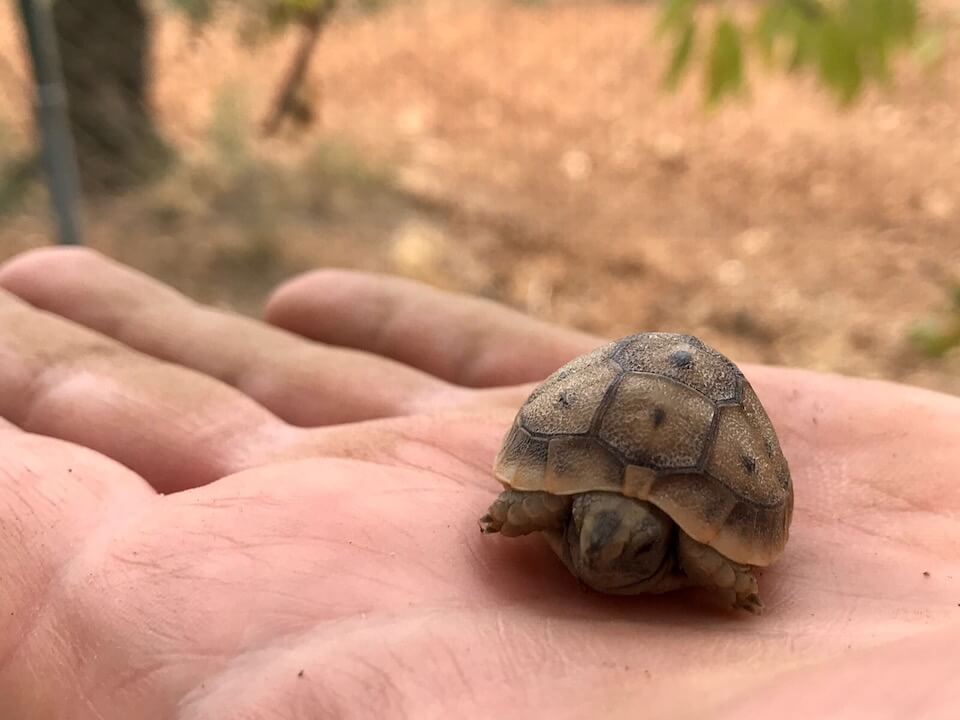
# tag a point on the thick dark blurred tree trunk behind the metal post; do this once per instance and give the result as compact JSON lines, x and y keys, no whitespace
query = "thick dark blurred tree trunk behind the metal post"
{"x":103,"y":49}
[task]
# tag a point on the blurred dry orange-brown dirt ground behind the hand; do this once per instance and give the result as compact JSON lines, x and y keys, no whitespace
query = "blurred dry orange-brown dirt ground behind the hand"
{"x":526,"y":153}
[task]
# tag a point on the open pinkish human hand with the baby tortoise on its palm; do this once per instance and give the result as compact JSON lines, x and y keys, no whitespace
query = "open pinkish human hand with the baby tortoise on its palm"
{"x":204,"y":517}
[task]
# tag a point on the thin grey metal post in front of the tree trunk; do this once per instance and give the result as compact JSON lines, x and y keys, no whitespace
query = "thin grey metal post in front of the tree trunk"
{"x":56,"y":140}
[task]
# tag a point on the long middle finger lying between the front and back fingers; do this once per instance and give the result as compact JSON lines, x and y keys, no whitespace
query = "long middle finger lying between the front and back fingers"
{"x":302,"y":382}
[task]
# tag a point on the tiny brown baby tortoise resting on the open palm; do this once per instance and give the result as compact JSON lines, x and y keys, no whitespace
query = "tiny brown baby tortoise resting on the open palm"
{"x":650,"y":465}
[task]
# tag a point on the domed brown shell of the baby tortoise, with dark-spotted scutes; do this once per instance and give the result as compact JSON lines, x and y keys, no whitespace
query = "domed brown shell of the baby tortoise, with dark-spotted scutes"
{"x":664,"y":418}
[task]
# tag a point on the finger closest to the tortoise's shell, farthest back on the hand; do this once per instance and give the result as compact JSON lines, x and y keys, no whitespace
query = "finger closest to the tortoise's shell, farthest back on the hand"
{"x":464,"y":340}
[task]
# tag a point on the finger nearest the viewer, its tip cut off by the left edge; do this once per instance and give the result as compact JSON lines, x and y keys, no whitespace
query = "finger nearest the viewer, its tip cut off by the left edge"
{"x":174,"y":426}
